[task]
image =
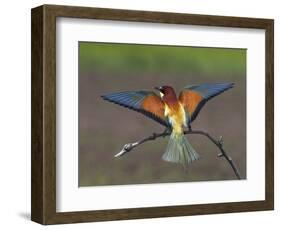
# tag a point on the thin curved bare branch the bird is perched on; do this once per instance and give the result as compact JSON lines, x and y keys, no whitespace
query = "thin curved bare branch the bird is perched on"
{"x":219,"y":143}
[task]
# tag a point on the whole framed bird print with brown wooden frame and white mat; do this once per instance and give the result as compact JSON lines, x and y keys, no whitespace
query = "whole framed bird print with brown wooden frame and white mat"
{"x":141,"y":114}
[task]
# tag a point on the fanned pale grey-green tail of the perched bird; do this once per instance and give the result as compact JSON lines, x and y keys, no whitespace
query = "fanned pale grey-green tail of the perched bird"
{"x":179,"y":150}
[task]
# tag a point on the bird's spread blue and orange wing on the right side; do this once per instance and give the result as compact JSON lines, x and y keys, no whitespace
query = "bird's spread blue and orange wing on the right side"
{"x":193,"y":97}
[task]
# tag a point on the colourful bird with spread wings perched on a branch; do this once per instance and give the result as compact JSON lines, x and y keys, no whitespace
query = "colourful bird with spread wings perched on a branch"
{"x":175,"y":113}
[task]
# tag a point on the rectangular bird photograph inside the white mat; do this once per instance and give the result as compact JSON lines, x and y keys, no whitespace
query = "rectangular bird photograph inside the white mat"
{"x":160,"y":114}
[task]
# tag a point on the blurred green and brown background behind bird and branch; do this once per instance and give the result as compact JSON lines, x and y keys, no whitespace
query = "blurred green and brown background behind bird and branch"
{"x":105,"y":127}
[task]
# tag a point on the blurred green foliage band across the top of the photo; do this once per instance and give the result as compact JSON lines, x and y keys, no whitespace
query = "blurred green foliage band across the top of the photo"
{"x":127,"y":58}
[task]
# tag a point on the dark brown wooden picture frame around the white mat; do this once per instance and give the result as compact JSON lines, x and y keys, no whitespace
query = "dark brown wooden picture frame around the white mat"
{"x":43,"y":170}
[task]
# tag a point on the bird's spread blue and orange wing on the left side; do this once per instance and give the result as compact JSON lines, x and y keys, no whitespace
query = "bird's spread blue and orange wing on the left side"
{"x":145,"y":102}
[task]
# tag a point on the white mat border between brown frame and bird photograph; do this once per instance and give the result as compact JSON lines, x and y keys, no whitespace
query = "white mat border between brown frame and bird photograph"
{"x":72,"y":198}
